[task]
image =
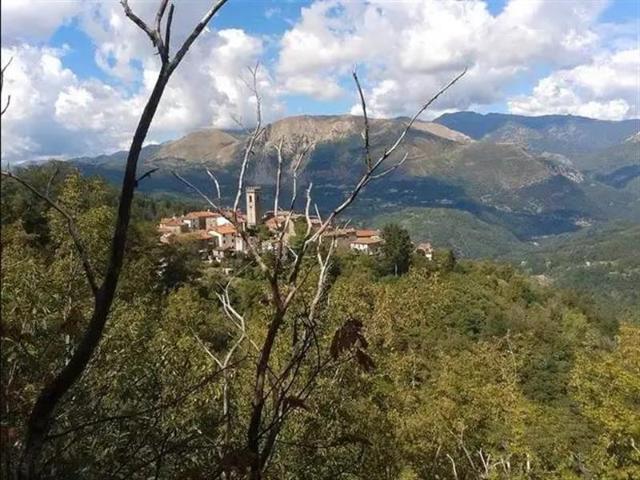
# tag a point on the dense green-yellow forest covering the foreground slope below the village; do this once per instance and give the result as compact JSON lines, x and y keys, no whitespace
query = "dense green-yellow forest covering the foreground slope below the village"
{"x":438,"y":369}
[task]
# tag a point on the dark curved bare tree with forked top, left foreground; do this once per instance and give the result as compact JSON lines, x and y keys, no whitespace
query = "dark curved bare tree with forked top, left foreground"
{"x":40,"y":419}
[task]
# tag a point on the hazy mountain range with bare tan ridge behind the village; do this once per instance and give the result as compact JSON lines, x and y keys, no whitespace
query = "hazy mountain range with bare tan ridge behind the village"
{"x":518,"y":177}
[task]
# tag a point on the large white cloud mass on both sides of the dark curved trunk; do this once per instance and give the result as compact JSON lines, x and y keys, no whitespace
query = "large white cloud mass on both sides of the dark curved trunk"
{"x":55,"y":113}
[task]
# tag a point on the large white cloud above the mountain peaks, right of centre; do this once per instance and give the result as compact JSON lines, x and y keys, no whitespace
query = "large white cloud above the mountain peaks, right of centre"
{"x":411,"y":49}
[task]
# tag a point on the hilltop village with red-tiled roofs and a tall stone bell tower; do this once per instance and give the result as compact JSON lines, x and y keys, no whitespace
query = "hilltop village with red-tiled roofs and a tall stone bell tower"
{"x":217,"y":238}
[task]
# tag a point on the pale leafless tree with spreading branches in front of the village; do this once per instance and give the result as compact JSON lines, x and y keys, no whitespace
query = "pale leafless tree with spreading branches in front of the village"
{"x":279,"y":390}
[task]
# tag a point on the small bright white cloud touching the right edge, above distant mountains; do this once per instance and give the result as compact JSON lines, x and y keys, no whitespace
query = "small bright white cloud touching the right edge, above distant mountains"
{"x":606,"y":88}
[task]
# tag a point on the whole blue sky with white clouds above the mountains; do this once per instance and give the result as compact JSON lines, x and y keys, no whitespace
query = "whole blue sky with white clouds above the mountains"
{"x":81,"y":72}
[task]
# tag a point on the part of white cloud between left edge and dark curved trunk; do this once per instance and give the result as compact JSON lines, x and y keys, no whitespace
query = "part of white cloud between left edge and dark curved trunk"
{"x":52,"y":112}
